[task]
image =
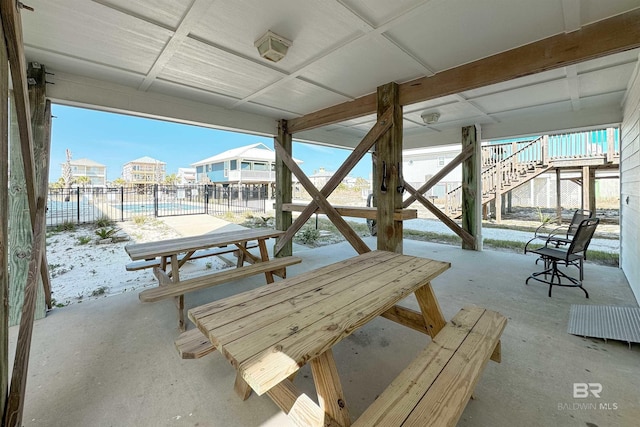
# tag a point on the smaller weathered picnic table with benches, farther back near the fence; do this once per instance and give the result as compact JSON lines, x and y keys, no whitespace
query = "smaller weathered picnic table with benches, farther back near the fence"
{"x":171,"y":254}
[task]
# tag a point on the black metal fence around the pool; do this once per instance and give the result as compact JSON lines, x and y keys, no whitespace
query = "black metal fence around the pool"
{"x":85,"y":205}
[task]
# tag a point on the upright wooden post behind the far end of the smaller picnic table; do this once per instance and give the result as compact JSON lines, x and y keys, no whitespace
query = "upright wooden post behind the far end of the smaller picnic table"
{"x":283,"y":189}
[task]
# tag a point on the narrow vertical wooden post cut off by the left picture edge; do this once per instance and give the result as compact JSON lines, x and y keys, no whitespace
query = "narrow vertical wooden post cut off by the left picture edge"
{"x":4,"y":224}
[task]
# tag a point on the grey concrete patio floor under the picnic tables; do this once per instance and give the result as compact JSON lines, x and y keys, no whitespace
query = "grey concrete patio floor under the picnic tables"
{"x":112,"y":362}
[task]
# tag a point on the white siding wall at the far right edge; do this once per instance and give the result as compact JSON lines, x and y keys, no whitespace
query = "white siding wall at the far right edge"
{"x":630,"y":188}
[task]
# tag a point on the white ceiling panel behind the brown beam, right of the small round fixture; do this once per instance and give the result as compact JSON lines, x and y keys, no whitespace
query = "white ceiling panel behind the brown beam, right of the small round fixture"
{"x":549,"y":92}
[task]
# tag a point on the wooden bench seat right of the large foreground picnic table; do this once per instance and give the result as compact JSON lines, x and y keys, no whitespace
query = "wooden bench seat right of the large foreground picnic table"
{"x":435,"y":388}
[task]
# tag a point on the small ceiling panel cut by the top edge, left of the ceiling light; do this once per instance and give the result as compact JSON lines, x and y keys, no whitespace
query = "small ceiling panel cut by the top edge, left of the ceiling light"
{"x":164,"y":12}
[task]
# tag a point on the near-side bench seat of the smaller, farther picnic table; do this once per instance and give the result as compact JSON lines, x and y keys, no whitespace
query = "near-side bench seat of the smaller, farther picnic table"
{"x":208,"y":280}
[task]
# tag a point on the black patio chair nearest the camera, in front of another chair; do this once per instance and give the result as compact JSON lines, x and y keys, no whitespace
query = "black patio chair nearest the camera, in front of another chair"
{"x":574,"y":255}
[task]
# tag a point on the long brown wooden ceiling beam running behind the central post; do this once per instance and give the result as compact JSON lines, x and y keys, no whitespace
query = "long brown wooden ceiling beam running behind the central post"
{"x":606,"y":37}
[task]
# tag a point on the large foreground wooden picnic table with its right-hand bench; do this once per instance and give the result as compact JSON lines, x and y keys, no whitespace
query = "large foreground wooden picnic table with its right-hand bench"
{"x":269,"y":333}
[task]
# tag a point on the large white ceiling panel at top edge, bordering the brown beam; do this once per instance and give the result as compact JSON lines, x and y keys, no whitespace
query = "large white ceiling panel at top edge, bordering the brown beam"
{"x":456,"y":32}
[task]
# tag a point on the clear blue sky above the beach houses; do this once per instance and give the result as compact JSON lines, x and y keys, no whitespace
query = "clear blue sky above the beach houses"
{"x":115,"y":139}
